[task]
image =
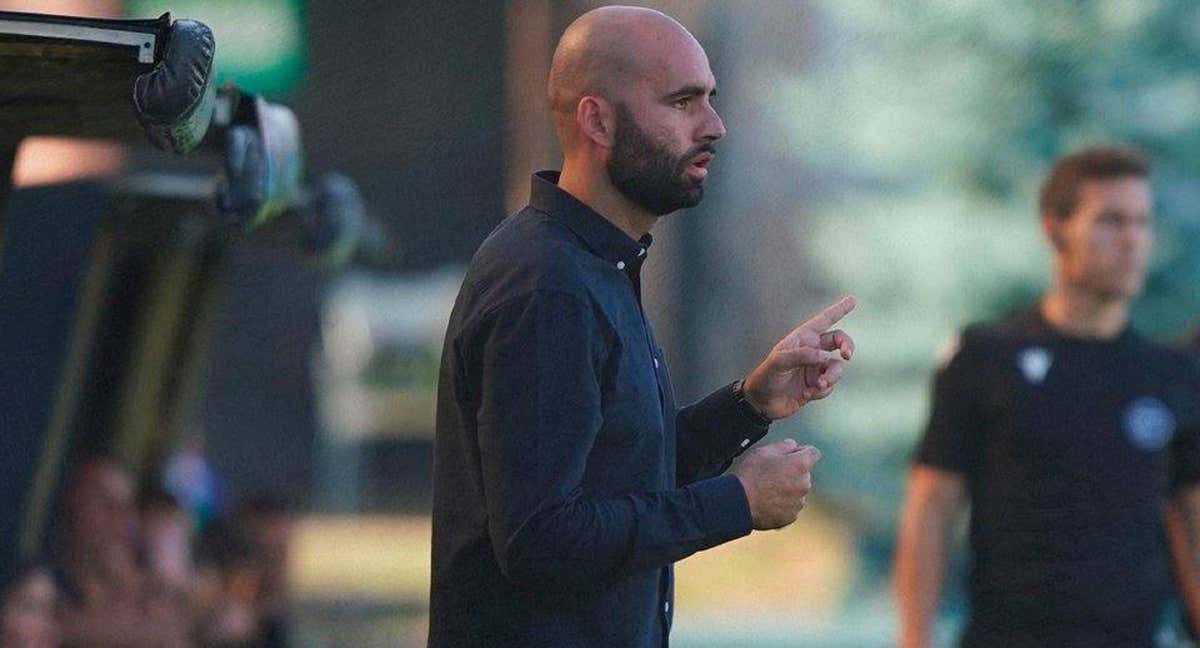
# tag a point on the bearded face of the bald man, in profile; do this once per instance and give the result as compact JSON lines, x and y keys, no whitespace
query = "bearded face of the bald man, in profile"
{"x":665,"y":129}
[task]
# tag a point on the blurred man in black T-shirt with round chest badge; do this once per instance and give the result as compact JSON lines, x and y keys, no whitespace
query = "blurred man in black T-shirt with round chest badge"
{"x":1071,"y":436}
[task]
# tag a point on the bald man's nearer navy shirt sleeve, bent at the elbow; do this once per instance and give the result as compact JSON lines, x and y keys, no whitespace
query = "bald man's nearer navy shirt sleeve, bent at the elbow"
{"x":539,"y":411}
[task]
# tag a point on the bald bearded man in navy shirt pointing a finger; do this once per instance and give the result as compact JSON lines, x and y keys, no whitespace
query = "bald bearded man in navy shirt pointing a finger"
{"x":567,"y":482}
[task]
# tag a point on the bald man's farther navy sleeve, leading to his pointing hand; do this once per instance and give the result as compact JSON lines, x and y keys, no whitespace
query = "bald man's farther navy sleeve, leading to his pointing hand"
{"x":712,"y":434}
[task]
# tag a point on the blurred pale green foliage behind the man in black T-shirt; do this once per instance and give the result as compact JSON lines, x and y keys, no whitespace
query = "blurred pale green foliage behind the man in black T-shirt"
{"x":943,"y":118}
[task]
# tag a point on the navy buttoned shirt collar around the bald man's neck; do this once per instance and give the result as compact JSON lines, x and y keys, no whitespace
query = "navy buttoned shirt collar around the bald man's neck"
{"x":599,"y":235}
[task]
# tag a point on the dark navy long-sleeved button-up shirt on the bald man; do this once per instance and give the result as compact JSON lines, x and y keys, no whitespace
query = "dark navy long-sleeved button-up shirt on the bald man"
{"x":567,"y":482}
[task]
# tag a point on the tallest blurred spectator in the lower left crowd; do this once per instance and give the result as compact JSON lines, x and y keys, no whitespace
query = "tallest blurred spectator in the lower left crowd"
{"x":110,"y":599}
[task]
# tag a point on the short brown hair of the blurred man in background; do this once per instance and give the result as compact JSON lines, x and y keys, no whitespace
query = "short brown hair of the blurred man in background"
{"x":1060,"y":193}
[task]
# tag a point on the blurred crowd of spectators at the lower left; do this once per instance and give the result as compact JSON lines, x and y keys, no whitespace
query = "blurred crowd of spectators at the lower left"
{"x":139,"y":567}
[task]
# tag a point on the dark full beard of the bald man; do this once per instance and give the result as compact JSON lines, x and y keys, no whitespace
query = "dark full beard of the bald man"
{"x":647,"y":173}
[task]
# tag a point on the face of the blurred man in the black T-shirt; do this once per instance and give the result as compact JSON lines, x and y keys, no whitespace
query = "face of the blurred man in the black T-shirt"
{"x":1106,"y":245}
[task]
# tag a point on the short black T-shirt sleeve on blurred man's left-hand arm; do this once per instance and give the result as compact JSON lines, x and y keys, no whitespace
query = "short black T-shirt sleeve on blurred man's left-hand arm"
{"x":952,"y":436}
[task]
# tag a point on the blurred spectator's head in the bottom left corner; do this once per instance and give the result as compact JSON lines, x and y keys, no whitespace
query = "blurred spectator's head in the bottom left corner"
{"x":29,"y":608}
